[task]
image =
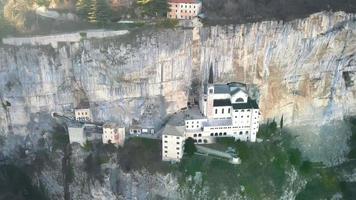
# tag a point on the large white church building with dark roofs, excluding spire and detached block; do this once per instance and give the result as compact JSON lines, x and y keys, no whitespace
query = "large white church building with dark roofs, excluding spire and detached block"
{"x":228,"y":112}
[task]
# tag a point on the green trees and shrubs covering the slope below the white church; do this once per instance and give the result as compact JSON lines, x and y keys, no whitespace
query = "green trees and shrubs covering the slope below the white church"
{"x":264,"y":170}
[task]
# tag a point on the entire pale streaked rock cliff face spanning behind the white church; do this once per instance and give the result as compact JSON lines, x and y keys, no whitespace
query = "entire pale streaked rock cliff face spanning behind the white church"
{"x":303,"y":70}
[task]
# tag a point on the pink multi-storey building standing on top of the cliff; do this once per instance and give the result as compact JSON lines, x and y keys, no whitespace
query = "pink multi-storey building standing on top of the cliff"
{"x":184,"y":9}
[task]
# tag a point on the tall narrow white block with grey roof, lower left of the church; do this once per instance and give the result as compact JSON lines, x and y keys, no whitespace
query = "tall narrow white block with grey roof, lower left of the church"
{"x":173,"y":143}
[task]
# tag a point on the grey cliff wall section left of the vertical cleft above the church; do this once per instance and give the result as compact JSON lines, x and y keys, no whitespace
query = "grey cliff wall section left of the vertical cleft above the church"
{"x":138,"y":76}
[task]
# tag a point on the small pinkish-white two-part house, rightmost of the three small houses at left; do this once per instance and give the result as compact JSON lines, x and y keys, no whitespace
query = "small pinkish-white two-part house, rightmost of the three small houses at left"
{"x":112,"y":133}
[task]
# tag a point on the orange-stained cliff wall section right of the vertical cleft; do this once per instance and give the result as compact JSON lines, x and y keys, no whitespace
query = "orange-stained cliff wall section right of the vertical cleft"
{"x":304,"y":69}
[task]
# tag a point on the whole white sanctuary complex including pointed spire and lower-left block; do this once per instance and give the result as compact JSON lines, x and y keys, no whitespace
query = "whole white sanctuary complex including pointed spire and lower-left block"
{"x":226,"y":110}
